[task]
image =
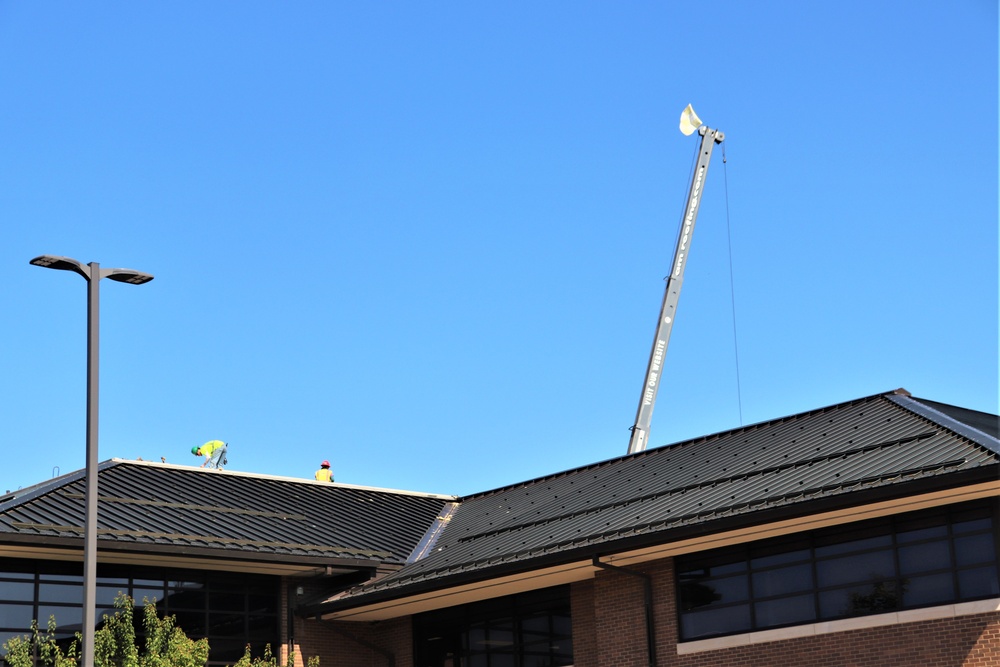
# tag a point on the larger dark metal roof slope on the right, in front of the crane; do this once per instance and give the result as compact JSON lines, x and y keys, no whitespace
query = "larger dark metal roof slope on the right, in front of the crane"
{"x":882,"y":444}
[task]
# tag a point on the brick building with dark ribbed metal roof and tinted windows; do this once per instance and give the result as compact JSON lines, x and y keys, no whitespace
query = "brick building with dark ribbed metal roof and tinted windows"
{"x":863,"y":533}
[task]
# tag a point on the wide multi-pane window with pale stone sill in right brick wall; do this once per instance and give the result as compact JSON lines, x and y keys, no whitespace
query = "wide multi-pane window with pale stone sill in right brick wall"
{"x":907,"y":561}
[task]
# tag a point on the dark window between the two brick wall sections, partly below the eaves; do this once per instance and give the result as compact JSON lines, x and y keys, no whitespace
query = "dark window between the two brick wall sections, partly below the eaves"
{"x":526,"y":630}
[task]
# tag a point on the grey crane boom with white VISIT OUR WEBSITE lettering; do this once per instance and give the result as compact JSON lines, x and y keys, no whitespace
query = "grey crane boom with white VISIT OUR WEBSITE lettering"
{"x":672,"y":292}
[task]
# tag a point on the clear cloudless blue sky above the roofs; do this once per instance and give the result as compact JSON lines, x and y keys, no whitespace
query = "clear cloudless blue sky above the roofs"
{"x":427,"y":240}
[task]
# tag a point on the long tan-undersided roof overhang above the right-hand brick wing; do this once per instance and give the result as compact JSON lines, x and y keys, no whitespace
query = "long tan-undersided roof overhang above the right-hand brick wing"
{"x":578,"y":566}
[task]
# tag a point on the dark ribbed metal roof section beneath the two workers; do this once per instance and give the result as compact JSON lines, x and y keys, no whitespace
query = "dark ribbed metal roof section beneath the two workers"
{"x":150,"y":506}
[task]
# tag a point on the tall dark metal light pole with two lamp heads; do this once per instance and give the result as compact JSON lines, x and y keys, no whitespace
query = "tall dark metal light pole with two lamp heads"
{"x":92,"y":273}
